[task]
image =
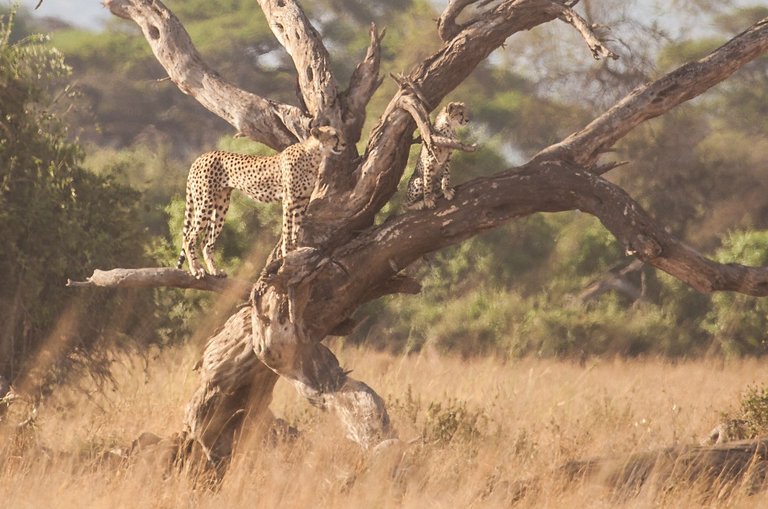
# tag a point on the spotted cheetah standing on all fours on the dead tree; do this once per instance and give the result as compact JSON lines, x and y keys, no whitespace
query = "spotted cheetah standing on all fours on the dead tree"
{"x":288,"y":177}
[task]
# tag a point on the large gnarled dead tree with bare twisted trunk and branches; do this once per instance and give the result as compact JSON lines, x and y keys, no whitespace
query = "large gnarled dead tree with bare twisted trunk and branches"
{"x":347,"y":258}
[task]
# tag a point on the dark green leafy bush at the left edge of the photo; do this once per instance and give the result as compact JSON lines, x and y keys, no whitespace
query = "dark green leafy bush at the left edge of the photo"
{"x":57,"y":220}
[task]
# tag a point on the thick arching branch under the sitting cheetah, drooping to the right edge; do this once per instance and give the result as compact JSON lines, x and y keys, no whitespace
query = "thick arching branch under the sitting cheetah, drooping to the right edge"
{"x":550,"y":186}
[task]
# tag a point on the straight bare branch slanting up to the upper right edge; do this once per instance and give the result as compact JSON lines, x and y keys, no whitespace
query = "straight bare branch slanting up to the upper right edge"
{"x":660,"y":96}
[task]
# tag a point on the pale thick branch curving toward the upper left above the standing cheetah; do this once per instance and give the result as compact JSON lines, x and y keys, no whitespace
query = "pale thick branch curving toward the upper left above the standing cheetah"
{"x":274,"y":124}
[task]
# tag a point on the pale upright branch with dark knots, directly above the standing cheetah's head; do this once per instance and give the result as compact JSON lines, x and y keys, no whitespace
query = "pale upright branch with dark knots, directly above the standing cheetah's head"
{"x":310,"y":57}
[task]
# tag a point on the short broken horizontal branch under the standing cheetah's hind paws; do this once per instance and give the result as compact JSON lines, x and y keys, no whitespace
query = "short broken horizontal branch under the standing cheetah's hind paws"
{"x":162,"y":277}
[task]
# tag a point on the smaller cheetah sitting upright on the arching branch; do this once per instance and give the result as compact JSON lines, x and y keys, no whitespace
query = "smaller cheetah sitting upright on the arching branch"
{"x":433,"y":172}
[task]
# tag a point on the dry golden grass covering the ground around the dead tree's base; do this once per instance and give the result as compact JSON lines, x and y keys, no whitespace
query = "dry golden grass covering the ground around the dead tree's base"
{"x":481,"y":430}
